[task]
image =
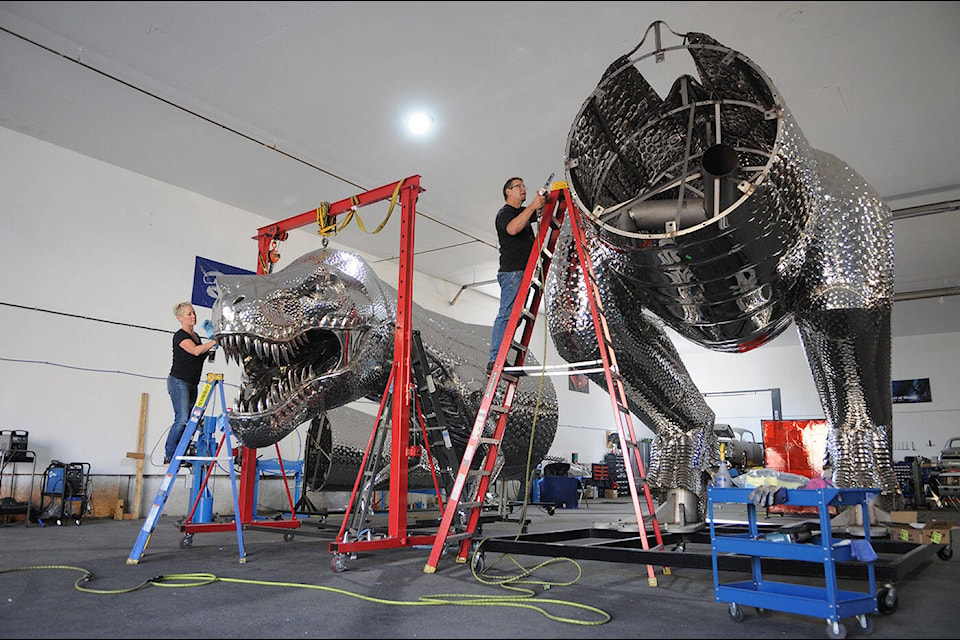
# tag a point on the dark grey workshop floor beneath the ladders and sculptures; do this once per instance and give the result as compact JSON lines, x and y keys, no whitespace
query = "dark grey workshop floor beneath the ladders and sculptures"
{"x":288,"y":588}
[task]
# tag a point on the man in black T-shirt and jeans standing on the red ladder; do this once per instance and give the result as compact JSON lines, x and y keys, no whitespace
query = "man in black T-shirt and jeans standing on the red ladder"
{"x":516,"y":238}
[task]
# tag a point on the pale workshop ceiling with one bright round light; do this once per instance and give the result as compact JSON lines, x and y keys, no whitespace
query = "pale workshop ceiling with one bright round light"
{"x":275,"y":107}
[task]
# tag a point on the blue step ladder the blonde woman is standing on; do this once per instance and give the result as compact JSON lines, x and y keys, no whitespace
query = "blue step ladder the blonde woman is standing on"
{"x":214,"y":381}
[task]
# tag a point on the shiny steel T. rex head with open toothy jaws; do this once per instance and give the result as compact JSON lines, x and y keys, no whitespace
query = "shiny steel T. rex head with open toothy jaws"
{"x":313,"y":336}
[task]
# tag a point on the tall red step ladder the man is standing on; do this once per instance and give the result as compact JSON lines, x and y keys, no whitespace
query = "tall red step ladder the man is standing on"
{"x":525,"y":311}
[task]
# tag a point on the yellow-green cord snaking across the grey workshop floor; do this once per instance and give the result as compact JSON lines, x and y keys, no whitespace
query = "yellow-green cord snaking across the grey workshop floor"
{"x":183,"y":580}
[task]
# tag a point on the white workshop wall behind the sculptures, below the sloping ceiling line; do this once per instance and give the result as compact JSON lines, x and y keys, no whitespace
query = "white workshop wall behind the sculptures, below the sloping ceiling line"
{"x":95,"y":257}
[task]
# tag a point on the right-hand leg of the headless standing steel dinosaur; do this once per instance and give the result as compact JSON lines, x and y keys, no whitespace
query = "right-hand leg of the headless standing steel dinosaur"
{"x":844,"y":324}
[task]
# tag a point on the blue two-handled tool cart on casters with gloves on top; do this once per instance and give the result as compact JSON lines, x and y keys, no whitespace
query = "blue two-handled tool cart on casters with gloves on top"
{"x":827,"y":602}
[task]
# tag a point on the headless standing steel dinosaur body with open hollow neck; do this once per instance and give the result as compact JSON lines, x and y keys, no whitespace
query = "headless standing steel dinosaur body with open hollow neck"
{"x":709,"y":212}
